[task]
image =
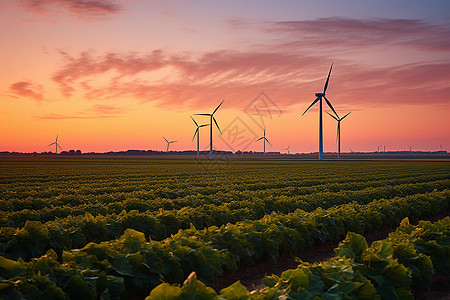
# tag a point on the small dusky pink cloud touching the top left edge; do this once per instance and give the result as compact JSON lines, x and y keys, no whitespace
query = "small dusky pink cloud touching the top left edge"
{"x":81,"y":8}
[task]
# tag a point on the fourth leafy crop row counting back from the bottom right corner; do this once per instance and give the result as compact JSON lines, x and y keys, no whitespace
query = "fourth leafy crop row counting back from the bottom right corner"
{"x":16,"y":211}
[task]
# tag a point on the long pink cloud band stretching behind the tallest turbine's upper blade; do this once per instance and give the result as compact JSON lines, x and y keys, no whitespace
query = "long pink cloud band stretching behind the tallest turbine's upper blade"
{"x":240,"y":76}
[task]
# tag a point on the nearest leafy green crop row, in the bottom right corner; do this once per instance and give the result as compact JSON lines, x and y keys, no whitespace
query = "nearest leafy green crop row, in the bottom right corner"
{"x":388,"y":269}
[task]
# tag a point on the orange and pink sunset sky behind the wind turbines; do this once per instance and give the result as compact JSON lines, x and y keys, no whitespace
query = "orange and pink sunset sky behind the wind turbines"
{"x":109,"y":75}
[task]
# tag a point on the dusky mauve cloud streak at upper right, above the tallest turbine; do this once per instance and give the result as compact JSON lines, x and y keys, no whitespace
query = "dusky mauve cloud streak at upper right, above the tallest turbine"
{"x":348,"y":34}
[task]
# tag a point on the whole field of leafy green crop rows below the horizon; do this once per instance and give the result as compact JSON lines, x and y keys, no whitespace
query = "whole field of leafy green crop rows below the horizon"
{"x":127,"y":229}
